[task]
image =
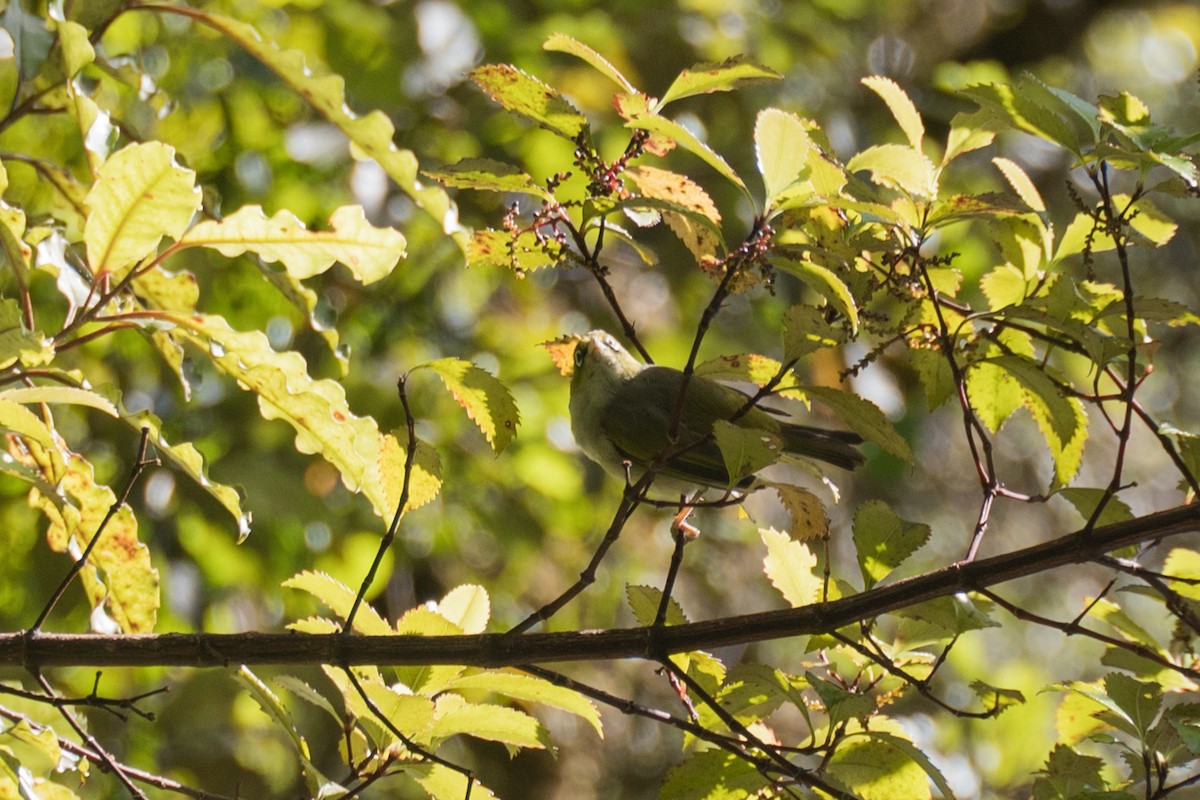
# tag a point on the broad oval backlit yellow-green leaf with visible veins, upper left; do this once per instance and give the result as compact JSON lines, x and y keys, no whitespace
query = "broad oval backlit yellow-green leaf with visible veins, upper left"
{"x":141,"y":196}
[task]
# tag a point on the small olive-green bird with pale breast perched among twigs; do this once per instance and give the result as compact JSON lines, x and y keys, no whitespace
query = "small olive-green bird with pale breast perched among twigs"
{"x":622,"y":412}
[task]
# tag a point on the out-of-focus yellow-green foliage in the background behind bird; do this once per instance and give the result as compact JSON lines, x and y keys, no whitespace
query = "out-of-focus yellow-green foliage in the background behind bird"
{"x":525,"y":522}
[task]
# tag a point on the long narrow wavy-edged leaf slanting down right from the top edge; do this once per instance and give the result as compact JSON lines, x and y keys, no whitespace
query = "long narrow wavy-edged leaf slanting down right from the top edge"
{"x":371,"y":136}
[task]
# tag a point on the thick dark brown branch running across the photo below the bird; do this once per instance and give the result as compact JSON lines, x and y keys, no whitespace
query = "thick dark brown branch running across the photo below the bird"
{"x":40,"y":651}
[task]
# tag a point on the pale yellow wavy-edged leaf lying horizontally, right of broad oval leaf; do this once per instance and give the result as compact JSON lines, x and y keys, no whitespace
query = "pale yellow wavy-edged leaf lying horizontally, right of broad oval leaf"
{"x":370,"y":254}
